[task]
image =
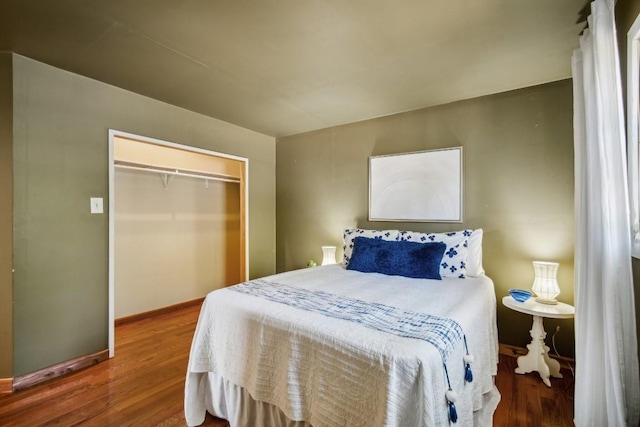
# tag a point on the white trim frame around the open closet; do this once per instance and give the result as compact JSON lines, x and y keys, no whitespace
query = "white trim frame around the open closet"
{"x":244,"y":211}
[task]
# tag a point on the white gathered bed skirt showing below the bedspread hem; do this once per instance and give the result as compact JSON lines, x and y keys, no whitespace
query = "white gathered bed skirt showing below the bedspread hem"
{"x":235,"y":404}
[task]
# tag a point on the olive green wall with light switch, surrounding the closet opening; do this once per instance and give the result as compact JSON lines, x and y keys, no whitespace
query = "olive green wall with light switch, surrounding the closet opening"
{"x":60,"y":142}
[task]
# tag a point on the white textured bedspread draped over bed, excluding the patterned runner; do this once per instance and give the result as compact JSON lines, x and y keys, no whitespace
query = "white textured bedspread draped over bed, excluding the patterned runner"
{"x":331,"y":372}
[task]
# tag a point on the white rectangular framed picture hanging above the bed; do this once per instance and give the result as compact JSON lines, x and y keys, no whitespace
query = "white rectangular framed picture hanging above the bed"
{"x":424,"y":186}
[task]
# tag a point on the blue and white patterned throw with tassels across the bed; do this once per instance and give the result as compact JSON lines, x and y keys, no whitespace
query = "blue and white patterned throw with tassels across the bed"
{"x":444,"y":334}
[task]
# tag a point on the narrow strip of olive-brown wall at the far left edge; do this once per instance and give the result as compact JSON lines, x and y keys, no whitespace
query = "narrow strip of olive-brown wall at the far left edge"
{"x":6,"y":215}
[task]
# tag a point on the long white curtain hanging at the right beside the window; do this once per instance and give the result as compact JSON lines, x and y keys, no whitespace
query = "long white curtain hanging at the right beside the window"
{"x":607,"y":381}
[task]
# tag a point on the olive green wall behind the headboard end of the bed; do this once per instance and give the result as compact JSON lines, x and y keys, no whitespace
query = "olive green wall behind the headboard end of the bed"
{"x":518,"y":187}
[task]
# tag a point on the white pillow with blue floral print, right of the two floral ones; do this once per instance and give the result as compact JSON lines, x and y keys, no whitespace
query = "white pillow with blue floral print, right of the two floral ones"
{"x":454,"y":260}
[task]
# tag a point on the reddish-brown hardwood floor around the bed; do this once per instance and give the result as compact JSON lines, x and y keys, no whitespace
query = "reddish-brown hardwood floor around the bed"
{"x":144,"y":386}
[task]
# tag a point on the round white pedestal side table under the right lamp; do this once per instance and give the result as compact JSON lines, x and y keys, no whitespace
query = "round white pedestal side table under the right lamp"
{"x":537,"y":359}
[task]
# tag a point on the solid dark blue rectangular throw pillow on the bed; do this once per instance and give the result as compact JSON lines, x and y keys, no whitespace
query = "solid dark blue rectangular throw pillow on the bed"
{"x":397,"y":258}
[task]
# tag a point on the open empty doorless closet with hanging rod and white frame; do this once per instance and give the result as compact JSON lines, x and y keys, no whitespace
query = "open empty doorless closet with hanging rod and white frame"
{"x":177,"y":224}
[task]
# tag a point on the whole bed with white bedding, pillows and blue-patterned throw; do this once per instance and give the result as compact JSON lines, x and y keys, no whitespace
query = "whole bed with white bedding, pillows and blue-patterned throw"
{"x":340,"y":346}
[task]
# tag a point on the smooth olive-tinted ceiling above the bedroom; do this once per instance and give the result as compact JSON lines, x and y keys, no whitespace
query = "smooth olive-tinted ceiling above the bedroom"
{"x":281,"y":67}
